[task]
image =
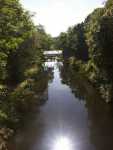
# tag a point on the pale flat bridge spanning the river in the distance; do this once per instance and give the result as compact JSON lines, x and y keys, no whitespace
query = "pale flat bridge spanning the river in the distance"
{"x":52,"y":54}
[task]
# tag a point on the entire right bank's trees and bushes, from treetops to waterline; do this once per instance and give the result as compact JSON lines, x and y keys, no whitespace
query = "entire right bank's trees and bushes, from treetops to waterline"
{"x":88,"y":48}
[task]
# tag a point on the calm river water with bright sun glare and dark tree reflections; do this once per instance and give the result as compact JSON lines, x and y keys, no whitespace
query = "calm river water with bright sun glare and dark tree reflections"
{"x":68,"y":121}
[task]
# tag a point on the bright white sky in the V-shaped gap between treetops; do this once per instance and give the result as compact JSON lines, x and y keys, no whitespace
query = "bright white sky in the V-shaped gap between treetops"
{"x":57,"y":15}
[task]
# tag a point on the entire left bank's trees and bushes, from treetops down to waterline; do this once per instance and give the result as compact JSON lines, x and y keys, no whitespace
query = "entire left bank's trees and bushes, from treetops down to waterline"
{"x":21,"y":66}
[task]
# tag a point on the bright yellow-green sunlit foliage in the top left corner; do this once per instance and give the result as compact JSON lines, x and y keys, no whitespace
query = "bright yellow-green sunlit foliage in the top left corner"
{"x":15,"y":25}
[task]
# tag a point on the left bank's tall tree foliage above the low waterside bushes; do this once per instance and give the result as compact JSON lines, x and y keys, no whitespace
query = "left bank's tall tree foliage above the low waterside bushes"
{"x":21,"y":43}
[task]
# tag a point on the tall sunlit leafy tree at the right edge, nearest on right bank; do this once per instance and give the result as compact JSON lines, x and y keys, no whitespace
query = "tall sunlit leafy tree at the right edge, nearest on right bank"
{"x":99,"y":37}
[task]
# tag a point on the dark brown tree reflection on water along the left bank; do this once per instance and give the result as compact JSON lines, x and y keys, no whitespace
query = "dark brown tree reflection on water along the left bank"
{"x":32,"y":126}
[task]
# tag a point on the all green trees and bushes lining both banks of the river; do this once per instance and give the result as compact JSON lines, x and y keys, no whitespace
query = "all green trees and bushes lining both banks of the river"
{"x":87,"y":49}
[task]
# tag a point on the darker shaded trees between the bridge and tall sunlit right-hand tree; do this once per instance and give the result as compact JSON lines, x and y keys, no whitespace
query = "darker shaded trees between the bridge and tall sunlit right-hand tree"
{"x":73,"y":43}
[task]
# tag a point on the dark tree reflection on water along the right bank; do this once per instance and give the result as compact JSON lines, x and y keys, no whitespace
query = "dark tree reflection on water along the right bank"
{"x":100,"y":115}
